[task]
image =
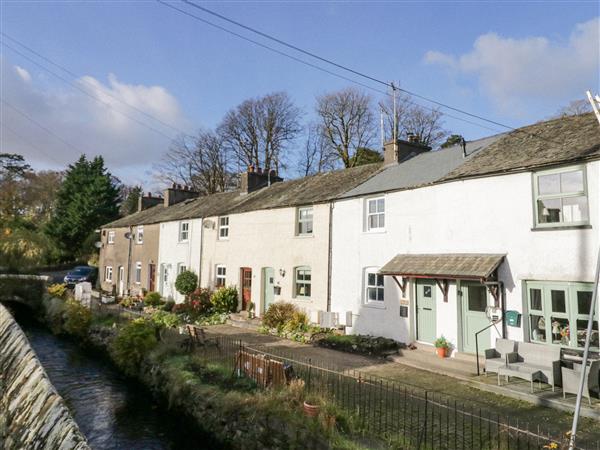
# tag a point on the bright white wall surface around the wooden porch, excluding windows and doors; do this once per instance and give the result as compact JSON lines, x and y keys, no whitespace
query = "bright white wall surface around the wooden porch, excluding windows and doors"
{"x":485,"y":215}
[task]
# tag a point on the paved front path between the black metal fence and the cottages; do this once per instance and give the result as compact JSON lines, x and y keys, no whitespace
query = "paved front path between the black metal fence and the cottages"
{"x":461,"y":389}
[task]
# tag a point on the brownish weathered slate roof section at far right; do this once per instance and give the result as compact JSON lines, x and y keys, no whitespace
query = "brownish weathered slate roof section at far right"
{"x":550,"y":143}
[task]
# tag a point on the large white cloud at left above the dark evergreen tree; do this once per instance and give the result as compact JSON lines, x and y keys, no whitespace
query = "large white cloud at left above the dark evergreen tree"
{"x":93,"y":124}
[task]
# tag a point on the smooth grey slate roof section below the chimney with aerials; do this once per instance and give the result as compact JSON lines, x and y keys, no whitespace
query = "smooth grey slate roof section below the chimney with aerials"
{"x":420,"y":170}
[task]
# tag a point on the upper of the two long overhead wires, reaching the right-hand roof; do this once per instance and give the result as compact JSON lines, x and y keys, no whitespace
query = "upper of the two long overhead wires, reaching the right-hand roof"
{"x":356,"y":72}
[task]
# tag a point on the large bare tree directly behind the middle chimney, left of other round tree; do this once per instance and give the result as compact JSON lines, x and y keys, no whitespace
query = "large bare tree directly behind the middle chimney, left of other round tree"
{"x":258,"y":130}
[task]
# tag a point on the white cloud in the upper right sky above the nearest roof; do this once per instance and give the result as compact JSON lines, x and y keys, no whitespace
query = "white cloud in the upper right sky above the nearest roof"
{"x":514,"y":72}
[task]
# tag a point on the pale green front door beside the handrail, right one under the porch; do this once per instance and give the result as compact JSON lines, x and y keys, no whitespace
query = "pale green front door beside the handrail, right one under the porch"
{"x":473,"y":304}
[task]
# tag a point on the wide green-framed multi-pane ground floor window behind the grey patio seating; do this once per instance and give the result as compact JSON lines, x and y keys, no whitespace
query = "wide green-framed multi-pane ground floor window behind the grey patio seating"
{"x":559,"y":313}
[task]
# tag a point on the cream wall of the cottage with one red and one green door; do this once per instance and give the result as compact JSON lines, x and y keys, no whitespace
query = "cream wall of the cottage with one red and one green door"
{"x":267,"y":238}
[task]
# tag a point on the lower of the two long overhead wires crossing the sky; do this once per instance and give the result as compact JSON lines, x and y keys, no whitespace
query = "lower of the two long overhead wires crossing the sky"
{"x":307,"y":63}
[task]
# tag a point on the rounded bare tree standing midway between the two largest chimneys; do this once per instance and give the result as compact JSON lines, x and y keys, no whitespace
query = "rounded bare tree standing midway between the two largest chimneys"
{"x":347,"y":123}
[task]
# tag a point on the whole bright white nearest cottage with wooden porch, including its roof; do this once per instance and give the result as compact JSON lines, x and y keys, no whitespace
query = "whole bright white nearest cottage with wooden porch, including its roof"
{"x":440,"y":240}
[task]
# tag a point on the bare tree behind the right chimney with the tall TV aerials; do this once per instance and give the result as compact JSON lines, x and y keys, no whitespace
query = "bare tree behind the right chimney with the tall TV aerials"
{"x":413,"y":118}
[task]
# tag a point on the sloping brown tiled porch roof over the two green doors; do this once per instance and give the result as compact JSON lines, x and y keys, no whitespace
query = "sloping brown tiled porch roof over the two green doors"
{"x":444,"y":265}
